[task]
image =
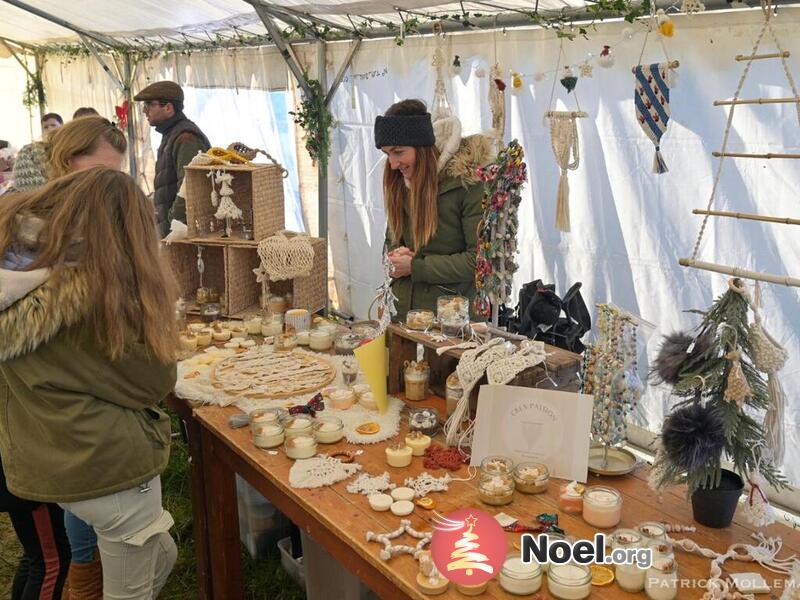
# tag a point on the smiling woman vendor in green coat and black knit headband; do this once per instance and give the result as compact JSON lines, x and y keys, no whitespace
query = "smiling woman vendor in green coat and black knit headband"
{"x":433,"y":203}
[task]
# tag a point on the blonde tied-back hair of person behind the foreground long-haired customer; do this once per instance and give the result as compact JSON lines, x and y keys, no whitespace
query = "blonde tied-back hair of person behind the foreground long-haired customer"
{"x":81,"y":136}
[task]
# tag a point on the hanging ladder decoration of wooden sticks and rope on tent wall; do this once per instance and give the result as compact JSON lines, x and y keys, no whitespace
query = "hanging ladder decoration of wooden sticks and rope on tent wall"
{"x":766,"y":7}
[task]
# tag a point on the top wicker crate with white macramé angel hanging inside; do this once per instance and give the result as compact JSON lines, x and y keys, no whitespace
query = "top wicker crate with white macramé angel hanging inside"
{"x":258,"y":190}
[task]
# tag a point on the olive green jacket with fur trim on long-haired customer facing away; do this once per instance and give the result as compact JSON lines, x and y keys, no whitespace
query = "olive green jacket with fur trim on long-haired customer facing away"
{"x":74,"y":425}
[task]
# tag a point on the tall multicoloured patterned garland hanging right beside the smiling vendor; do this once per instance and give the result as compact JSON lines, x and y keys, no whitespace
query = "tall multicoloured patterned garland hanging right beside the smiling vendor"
{"x":497,"y":232}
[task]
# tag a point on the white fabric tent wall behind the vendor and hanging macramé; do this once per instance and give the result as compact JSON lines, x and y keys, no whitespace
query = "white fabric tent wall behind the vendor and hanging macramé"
{"x":629,"y":226}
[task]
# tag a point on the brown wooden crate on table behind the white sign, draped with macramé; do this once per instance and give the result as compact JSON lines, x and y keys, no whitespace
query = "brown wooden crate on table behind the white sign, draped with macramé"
{"x":561,"y":372}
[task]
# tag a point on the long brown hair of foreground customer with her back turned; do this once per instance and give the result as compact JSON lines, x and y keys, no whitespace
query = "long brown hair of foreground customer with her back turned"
{"x":105,"y":213}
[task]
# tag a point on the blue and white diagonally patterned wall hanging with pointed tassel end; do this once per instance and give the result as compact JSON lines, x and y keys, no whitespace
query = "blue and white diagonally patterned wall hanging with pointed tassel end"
{"x":651,"y":98}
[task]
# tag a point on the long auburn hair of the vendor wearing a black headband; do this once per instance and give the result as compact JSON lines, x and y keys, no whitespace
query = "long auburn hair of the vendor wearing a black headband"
{"x":423,"y":191}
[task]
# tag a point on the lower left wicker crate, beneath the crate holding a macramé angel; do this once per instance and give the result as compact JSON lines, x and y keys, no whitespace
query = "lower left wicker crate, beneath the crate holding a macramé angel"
{"x":182,"y":259}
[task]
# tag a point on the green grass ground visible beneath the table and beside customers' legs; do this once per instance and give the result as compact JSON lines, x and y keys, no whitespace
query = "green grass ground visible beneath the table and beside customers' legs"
{"x":264,"y":579}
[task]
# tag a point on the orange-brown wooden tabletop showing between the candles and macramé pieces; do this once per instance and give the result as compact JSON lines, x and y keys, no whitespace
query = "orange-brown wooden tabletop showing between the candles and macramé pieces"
{"x":348,"y":517}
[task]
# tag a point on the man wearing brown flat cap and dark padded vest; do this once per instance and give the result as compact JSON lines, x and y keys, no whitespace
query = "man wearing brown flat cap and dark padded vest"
{"x":162,"y":104}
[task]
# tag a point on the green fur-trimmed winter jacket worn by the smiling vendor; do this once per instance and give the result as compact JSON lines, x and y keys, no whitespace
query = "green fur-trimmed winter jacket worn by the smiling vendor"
{"x":446,"y":264}
